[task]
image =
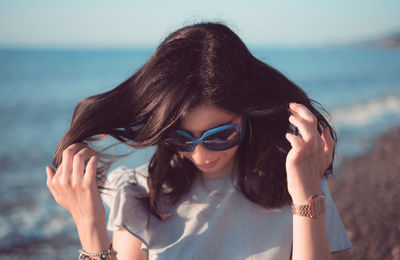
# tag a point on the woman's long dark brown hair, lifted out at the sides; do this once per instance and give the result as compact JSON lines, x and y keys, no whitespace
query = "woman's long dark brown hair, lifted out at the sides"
{"x":201,"y":63}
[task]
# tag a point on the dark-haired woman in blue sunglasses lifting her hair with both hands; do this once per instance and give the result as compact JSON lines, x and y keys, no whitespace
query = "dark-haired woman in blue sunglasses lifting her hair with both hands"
{"x":238,"y":171}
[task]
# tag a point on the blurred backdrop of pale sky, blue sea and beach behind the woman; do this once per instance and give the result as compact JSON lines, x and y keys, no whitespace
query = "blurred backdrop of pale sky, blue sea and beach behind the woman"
{"x":345,"y":54}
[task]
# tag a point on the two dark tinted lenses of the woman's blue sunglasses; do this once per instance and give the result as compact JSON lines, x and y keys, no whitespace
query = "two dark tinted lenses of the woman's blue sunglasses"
{"x":218,"y":141}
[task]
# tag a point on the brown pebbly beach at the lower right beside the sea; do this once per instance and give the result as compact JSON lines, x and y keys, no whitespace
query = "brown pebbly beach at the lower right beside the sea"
{"x":365,"y":190}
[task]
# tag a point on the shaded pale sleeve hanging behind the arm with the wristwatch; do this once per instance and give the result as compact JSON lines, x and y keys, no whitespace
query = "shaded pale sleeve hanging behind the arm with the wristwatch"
{"x":337,"y":235}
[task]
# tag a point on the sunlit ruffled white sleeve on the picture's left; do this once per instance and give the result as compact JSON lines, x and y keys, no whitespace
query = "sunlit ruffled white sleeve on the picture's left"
{"x":123,"y":188}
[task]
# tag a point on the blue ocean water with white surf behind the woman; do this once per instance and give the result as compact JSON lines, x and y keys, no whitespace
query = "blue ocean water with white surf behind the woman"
{"x":39,"y":89}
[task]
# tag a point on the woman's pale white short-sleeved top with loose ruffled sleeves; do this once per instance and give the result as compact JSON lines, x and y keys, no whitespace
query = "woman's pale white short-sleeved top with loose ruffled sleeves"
{"x":213,"y":221}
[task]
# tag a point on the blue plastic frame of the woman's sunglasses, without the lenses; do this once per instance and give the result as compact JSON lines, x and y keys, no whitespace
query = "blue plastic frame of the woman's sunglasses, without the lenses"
{"x":239,"y":127}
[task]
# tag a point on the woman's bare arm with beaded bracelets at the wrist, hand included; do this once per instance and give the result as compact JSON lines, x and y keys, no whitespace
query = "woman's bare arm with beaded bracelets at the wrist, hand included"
{"x":75,"y":188}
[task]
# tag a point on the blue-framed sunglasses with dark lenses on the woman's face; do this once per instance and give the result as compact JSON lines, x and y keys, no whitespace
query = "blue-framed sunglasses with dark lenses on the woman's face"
{"x":217,"y":139}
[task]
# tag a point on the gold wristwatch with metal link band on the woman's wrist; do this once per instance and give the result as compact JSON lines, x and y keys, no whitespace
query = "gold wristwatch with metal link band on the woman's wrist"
{"x":315,"y":207}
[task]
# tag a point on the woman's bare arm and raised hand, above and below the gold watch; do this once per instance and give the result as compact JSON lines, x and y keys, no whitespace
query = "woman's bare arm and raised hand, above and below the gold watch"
{"x":306,"y":162}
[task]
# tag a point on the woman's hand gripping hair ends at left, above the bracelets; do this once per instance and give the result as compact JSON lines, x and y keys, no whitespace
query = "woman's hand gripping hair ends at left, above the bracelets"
{"x":75,"y":188}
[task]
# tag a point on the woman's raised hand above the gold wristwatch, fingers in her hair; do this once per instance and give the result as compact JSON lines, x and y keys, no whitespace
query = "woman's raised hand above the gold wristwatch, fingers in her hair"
{"x":310,"y":155}
